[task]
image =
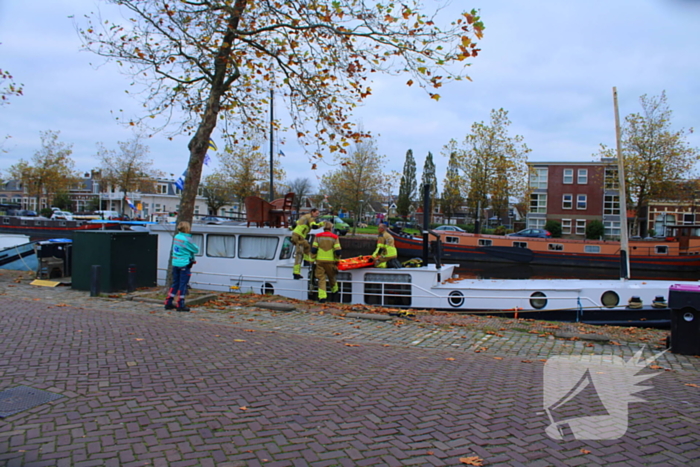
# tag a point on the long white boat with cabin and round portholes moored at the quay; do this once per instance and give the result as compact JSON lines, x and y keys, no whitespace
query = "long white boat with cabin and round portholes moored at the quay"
{"x":427,"y":287}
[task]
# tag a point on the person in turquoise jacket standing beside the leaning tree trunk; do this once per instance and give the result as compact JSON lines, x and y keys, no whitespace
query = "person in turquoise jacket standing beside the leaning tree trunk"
{"x":183,"y":260}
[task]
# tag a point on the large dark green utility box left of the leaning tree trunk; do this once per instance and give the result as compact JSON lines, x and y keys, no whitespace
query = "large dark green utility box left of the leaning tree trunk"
{"x":114,"y":251}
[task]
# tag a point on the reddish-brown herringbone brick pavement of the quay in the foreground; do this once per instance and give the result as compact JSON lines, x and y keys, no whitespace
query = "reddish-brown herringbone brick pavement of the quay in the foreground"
{"x":247,"y":386}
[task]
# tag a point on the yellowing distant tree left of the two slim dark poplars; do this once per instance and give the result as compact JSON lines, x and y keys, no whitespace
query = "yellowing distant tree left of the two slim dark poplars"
{"x":358,"y":181}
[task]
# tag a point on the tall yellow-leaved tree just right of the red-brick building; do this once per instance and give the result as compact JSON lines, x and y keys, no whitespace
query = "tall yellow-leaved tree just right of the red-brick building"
{"x":656,"y":156}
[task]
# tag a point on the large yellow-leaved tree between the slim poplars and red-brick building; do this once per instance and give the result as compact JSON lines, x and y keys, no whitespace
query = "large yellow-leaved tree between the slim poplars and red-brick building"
{"x":495,"y":163}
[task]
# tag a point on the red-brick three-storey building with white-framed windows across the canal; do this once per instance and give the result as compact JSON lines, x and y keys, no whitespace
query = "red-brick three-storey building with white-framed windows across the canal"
{"x":574,"y":194}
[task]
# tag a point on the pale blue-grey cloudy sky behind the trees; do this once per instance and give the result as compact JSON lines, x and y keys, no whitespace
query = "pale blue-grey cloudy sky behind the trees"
{"x":551,"y":63}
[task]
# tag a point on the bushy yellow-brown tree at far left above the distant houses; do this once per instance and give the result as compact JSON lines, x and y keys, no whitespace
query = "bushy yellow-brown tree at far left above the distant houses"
{"x":50,"y":170}
